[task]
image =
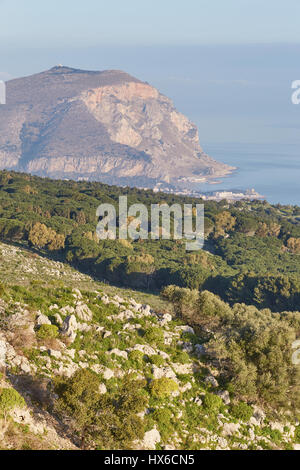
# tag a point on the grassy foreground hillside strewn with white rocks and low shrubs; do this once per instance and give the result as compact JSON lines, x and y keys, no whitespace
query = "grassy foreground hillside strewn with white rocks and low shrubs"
{"x":149,"y":373}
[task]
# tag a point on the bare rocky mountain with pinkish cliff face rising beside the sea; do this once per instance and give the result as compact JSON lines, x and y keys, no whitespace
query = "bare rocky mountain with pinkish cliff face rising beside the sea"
{"x":105,"y":126}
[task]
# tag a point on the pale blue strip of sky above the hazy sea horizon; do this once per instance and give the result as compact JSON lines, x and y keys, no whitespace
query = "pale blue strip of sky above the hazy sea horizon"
{"x":94,"y":22}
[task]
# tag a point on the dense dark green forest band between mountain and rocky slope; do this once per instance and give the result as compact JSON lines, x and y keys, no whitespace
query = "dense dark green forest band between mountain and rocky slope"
{"x":251,"y":251}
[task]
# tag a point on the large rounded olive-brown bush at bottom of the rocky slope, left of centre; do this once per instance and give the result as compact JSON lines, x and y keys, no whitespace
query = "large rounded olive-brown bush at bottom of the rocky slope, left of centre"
{"x":107,"y":421}
